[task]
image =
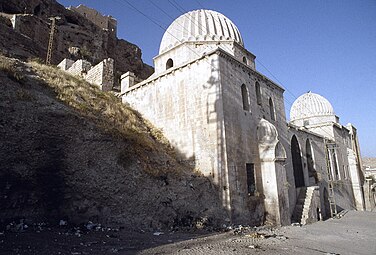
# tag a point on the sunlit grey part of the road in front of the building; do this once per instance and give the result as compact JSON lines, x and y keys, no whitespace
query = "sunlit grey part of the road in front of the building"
{"x":354,"y":233}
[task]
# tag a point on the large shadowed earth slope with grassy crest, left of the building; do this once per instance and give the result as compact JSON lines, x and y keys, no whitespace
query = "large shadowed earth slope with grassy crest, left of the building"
{"x":69,"y":151}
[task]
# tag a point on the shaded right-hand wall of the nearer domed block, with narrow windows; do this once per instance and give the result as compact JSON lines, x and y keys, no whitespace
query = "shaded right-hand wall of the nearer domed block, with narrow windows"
{"x":242,"y":145}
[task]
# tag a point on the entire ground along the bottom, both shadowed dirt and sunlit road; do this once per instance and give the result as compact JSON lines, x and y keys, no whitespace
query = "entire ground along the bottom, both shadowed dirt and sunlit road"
{"x":353,"y":233}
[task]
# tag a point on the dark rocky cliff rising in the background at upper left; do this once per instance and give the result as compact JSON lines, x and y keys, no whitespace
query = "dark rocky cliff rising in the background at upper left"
{"x":24,"y":33}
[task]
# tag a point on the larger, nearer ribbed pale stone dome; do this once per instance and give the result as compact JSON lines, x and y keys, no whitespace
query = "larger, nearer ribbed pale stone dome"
{"x":199,"y":25}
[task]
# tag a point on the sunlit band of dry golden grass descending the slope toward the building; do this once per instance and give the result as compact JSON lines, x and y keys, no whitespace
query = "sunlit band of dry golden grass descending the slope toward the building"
{"x":109,"y":113}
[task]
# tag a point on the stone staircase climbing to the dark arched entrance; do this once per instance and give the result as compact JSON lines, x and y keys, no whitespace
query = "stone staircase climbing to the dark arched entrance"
{"x":303,"y":210}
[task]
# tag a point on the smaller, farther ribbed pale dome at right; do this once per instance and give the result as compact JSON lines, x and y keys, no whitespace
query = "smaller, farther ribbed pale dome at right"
{"x":310,"y":105}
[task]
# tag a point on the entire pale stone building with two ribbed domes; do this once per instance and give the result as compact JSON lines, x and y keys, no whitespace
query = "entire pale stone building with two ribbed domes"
{"x":228,"y":121}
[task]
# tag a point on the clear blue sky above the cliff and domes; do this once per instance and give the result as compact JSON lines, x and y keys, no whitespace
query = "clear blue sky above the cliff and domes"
{"x":326,"y":46}
